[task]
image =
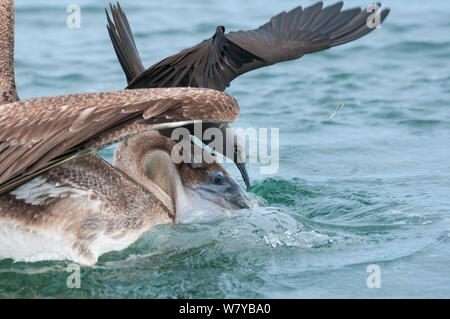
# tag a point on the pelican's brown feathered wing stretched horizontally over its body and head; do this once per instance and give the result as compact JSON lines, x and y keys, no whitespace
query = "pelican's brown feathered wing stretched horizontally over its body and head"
{"x":41,"y":133}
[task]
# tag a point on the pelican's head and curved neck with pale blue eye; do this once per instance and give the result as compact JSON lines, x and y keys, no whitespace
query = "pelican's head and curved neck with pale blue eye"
{"x":147,"y":158}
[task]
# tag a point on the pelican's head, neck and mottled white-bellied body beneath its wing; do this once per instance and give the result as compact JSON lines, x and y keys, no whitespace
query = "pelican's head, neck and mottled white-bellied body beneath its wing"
{"x":82,"y":209}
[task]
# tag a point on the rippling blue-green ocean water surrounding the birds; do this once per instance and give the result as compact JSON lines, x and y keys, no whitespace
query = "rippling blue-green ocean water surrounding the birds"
{"x":370,"y":186}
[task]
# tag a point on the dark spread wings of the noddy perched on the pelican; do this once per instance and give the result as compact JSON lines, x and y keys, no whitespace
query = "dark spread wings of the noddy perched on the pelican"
{"x":215,"y":62}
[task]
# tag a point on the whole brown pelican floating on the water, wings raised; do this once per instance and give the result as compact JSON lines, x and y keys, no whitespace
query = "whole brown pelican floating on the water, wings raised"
{"x":59,"y":201}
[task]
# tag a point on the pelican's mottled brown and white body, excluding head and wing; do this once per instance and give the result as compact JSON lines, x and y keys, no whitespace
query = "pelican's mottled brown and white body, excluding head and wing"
{"x":78,"y":211}
